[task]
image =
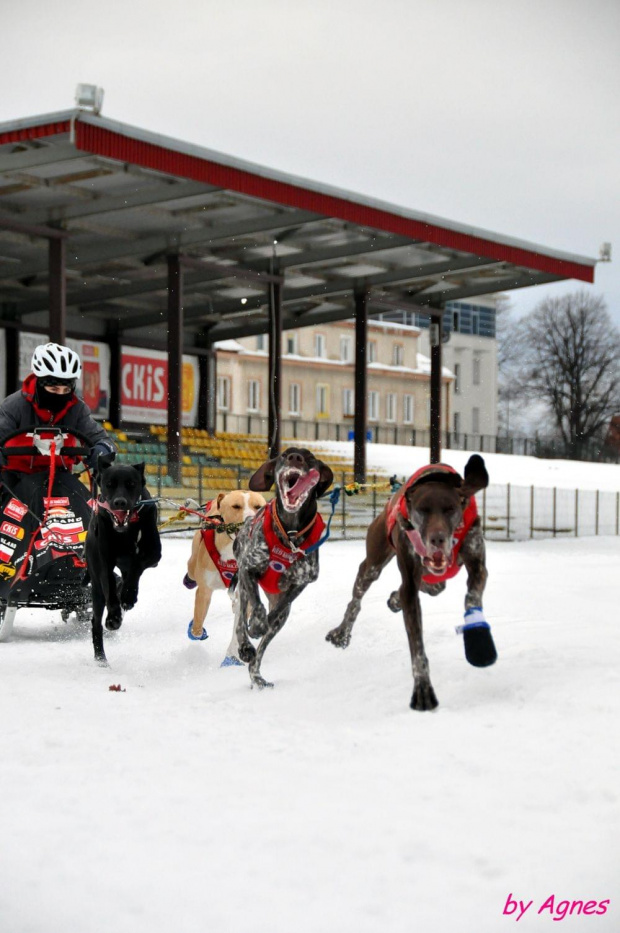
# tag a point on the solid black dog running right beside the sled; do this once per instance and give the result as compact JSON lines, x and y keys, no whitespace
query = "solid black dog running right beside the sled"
{"x":122,"y":533}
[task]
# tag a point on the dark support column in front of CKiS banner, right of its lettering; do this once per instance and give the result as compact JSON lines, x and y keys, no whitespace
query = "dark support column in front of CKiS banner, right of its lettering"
{"x":175,"y":364}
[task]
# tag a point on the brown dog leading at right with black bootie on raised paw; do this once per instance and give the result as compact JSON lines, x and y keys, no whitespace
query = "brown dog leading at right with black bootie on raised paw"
{"x":431,"y":525}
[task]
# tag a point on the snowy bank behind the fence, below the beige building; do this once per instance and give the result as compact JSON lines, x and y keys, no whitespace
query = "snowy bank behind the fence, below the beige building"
{"x":502,"y":468}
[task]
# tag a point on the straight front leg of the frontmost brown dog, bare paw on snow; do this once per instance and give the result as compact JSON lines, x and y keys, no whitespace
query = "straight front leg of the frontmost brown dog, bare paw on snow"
{"x":423,"y":697}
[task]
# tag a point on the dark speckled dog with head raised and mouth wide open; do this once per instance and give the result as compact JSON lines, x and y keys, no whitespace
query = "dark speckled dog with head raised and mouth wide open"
{"x":277,"y":549}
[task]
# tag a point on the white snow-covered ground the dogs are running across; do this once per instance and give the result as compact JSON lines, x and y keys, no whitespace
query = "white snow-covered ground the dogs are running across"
{"x":190,"y":803}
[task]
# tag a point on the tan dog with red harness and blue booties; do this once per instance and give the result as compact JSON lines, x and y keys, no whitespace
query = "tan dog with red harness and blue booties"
{"x":212,"y":565}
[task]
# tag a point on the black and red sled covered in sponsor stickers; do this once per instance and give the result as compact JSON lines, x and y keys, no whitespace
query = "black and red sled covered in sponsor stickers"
{"x":44,"y":517}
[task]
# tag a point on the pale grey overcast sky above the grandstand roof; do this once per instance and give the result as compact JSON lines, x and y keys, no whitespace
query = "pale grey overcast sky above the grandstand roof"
{"x":502,"y":114}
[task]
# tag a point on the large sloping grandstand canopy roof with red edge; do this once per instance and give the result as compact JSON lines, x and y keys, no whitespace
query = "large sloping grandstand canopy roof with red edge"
{"x":125,"y":199}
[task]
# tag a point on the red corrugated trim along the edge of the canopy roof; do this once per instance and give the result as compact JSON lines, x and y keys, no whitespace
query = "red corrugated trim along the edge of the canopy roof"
{"x":114,"y":145}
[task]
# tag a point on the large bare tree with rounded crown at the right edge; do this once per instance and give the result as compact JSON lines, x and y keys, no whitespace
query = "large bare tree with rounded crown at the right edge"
{"x":571,"y":362}
